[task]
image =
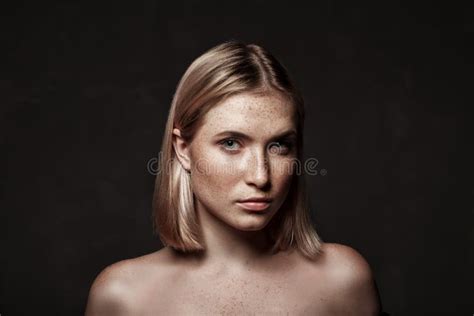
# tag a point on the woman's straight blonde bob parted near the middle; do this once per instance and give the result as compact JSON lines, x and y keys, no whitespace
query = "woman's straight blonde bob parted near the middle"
{"x":227,"y":69}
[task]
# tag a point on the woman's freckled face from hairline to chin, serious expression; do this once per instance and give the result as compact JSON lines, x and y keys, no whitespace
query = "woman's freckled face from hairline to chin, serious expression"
{"x":244,"y":149}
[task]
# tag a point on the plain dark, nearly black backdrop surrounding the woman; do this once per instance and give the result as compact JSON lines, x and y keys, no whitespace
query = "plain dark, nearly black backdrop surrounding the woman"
{"x":85,"y":92}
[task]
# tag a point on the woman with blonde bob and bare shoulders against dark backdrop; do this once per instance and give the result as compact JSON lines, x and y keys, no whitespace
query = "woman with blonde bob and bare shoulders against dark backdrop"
{"x":229,"y":206}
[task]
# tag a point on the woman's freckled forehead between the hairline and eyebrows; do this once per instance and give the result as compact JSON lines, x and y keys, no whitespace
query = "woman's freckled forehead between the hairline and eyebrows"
{"x":259,"y":115}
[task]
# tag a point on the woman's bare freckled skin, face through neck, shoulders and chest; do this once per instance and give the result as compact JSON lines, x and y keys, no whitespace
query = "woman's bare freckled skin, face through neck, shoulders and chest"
{"x":237,"y":273}
